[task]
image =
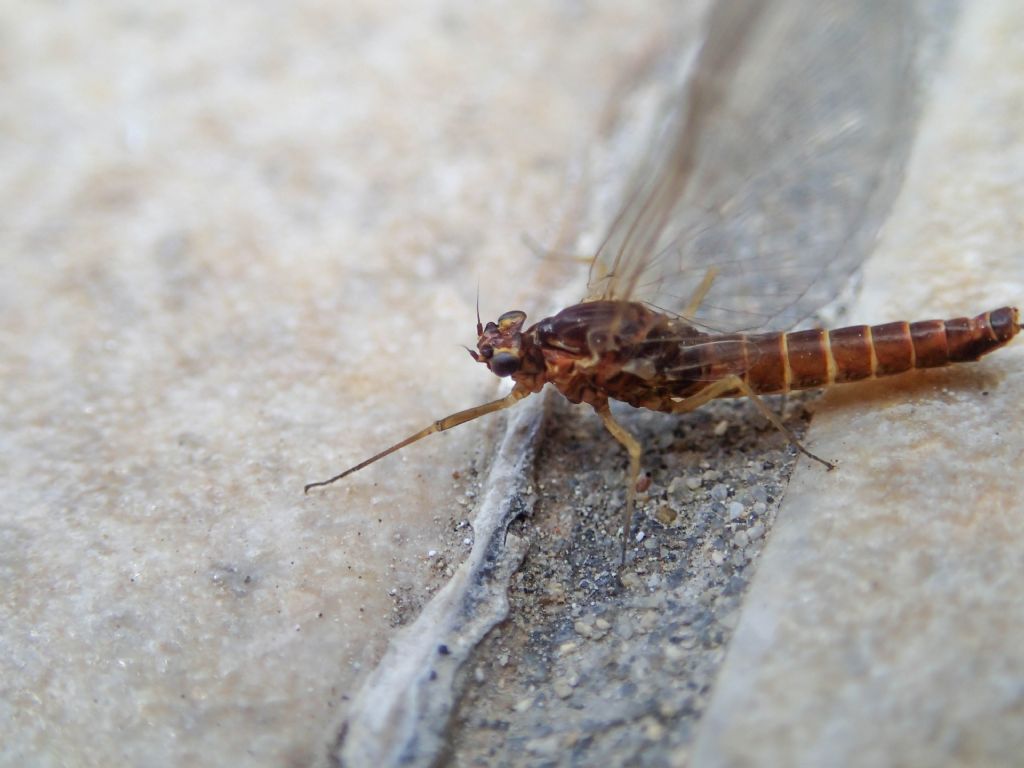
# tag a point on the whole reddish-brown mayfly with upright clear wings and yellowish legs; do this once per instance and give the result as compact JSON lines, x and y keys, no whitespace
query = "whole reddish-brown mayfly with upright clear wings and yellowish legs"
{"x":786,"y":152}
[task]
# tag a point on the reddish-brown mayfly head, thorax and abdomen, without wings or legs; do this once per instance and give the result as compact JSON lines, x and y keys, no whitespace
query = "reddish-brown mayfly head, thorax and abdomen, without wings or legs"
{"x":603,"y":351}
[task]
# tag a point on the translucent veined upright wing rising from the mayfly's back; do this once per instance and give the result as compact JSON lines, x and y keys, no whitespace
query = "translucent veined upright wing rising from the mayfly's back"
{"x":779,"y":169}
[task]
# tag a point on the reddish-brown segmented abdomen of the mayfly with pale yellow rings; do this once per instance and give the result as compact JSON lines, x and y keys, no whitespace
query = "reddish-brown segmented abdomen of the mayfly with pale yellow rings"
{"x":814,"y":359}
